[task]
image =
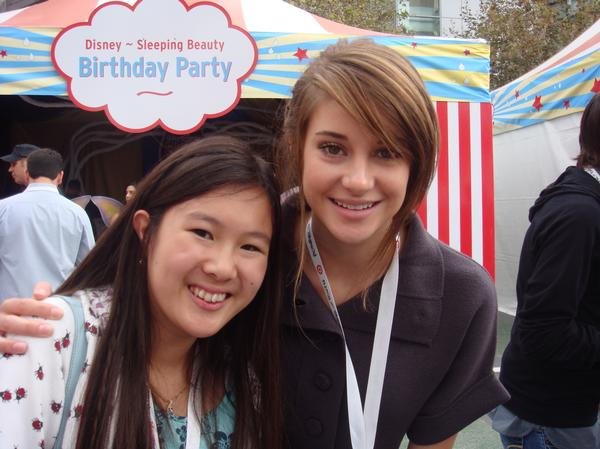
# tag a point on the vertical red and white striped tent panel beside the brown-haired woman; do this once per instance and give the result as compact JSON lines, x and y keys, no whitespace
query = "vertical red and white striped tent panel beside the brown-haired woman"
{"x":459,"y":209}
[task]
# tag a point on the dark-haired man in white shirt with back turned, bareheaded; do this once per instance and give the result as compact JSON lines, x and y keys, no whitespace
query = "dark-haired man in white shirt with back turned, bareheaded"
{"x":43,"y":235}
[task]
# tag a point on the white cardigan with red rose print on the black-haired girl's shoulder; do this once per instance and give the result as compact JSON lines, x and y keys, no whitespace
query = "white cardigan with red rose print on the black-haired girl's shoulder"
{"x":32,"y":386}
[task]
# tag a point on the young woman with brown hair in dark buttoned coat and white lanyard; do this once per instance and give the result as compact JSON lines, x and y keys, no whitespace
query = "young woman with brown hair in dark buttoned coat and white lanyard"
{"x":387,"y":331}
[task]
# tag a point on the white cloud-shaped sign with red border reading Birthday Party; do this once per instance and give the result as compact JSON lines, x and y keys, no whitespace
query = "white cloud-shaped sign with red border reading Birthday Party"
{"x":156,"y":63}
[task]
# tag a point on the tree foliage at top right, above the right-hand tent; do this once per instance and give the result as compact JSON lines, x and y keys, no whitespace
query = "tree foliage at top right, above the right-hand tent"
{"x":524,"y":33}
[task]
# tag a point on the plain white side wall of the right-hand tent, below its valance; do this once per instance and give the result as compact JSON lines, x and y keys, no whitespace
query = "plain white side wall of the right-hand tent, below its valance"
{"x":525,"y":161}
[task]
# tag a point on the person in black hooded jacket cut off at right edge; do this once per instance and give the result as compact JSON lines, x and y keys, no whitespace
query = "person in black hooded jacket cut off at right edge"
{"x":551,"y":366}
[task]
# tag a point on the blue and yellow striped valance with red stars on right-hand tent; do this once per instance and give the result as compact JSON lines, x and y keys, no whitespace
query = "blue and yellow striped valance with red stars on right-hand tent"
{"x":560,"y":86}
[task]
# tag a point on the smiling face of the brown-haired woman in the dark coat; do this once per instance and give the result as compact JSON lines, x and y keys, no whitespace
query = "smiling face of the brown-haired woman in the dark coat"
{"x":352,"y":182}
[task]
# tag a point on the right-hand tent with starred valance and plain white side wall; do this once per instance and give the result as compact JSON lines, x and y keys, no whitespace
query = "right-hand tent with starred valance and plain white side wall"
{"x":536,"y":131}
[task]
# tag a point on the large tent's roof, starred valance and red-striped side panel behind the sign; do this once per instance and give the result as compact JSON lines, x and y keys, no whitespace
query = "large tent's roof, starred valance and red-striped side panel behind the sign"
{"x":459,"y":209}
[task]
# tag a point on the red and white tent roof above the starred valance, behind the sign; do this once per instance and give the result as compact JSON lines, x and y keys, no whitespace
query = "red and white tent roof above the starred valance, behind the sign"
{"x":252,"y":15}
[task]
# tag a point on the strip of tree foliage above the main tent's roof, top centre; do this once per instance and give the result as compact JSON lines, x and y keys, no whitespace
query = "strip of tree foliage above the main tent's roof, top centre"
{"x":377,"y":15}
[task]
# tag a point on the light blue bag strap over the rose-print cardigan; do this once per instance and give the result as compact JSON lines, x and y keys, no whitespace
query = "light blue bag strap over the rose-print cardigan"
{"x":76,"y":366}
